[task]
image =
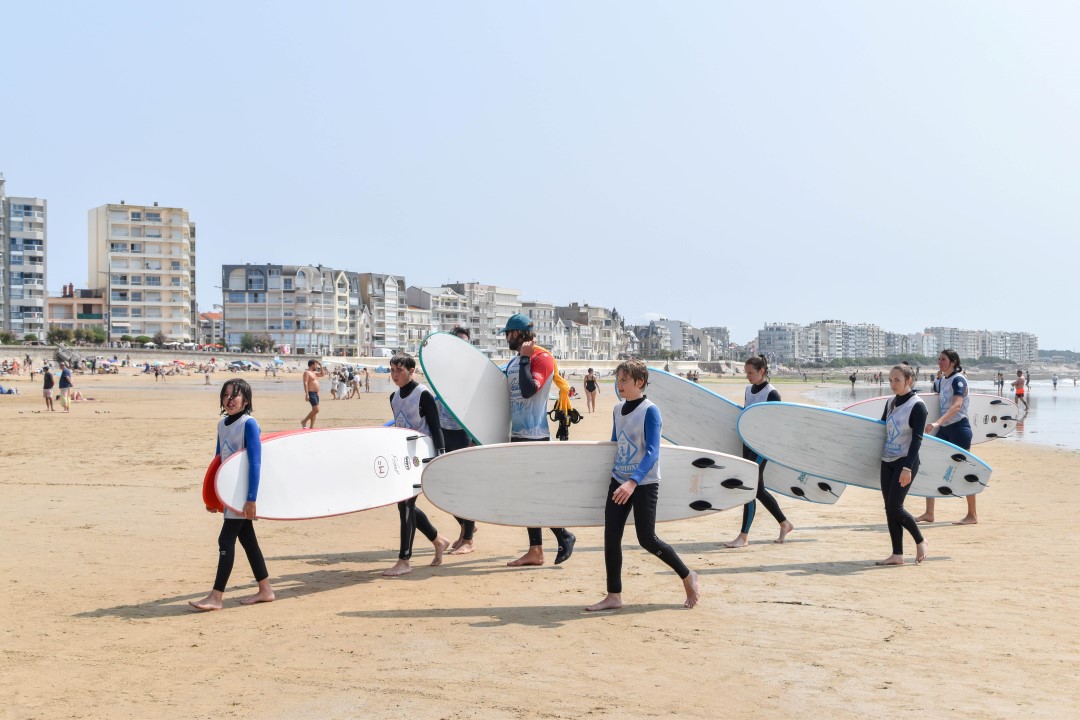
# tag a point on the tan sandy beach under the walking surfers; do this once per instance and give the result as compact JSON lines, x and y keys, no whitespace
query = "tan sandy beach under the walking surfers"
{"x":105,"y":541}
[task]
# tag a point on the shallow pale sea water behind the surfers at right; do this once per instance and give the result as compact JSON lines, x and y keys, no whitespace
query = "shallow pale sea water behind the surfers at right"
{"x":1054,"y":418}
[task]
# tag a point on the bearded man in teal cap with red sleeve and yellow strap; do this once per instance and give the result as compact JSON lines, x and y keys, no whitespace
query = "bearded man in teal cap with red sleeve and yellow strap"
{"x":530,"y":375}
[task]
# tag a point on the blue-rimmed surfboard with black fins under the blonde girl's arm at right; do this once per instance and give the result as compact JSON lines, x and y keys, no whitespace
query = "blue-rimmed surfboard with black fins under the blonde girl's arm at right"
{"x":847,"y":447}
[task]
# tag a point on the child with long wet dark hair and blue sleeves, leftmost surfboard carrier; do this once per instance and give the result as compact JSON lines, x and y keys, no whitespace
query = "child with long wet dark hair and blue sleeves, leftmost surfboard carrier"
{"x":238,"y":431}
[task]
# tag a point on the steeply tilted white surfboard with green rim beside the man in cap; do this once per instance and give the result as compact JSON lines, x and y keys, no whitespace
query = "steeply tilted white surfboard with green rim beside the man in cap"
{"x":474,"y":389}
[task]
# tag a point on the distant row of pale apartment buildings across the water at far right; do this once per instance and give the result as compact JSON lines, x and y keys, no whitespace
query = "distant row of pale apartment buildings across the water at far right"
{"x":828,"y":341}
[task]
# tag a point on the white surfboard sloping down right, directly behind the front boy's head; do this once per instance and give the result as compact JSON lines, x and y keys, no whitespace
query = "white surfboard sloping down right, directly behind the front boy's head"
{"x":696,"y":416}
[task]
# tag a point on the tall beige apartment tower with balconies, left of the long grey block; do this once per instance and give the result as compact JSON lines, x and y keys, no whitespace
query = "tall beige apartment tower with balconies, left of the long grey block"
{"x":144,"y":259}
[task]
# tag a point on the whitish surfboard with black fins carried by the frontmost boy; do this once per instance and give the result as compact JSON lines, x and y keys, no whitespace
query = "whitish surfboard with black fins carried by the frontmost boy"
{"x":565,"y":485}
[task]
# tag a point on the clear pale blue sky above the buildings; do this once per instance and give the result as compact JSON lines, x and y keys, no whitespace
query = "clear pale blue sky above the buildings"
{"x":728,"y":164}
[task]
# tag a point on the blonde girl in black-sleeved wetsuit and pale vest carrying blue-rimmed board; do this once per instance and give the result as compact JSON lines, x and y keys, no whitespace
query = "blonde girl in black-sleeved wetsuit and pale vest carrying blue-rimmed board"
{"x":906,"y":416}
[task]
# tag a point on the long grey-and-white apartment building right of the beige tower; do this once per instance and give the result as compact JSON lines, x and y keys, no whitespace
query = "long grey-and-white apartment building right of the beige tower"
{"x":306,"y":309}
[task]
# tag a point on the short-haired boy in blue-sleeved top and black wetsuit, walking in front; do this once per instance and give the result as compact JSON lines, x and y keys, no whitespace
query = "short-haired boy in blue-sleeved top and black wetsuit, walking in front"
{"x":636,"y":486}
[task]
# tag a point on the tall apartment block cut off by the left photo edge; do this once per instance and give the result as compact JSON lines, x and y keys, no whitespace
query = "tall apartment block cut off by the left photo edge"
{"x":23,"y":232}
